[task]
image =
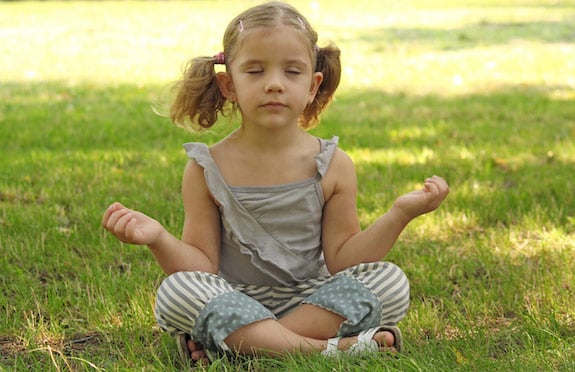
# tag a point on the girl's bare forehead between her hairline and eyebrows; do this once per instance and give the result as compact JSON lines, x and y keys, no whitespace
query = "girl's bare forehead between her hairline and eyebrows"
{"x":274,"y":42}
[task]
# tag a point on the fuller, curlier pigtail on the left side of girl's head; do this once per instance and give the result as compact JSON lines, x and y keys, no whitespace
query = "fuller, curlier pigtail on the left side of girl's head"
{"x":198,"y":99}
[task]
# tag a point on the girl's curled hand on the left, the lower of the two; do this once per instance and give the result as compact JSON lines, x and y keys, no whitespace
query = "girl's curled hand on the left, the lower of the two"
{"x":130,"y":226}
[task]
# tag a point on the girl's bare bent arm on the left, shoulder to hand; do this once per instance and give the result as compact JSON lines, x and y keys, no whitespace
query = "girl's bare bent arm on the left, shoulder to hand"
{"x":198,"y":250}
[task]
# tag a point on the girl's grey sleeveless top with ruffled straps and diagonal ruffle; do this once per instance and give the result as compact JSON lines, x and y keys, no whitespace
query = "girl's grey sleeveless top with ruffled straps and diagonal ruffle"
{"x":271,"y":235}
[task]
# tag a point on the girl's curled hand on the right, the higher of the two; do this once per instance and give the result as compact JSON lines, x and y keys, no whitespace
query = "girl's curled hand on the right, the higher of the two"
{"x":423,"y":201}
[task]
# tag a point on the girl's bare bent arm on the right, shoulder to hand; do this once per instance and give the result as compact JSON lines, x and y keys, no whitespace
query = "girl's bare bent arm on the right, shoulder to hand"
{"x":343,"y":243}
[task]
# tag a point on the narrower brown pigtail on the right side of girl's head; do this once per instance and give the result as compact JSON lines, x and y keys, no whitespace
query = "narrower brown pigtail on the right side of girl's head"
{"x":328,"y":63}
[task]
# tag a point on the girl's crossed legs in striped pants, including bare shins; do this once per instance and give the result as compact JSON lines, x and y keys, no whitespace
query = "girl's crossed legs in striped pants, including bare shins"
{"x":222,"y":318}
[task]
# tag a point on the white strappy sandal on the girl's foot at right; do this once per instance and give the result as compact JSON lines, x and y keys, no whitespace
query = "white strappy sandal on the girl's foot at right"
{"x":365,"y":343}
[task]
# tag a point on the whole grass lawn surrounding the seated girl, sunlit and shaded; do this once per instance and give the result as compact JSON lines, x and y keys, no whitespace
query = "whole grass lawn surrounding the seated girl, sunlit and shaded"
{"x":481,"y":93}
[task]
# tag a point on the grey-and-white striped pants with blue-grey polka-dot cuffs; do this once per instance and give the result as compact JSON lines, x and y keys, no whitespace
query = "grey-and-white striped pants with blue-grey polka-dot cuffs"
{"x":209,"y":308}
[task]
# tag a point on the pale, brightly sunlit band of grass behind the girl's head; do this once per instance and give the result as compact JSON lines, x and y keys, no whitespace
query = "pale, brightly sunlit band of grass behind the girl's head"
{"x":395,"y":47}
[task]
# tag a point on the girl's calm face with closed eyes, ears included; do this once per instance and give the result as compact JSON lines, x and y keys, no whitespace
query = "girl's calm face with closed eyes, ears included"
{"x":271,"y":77}
